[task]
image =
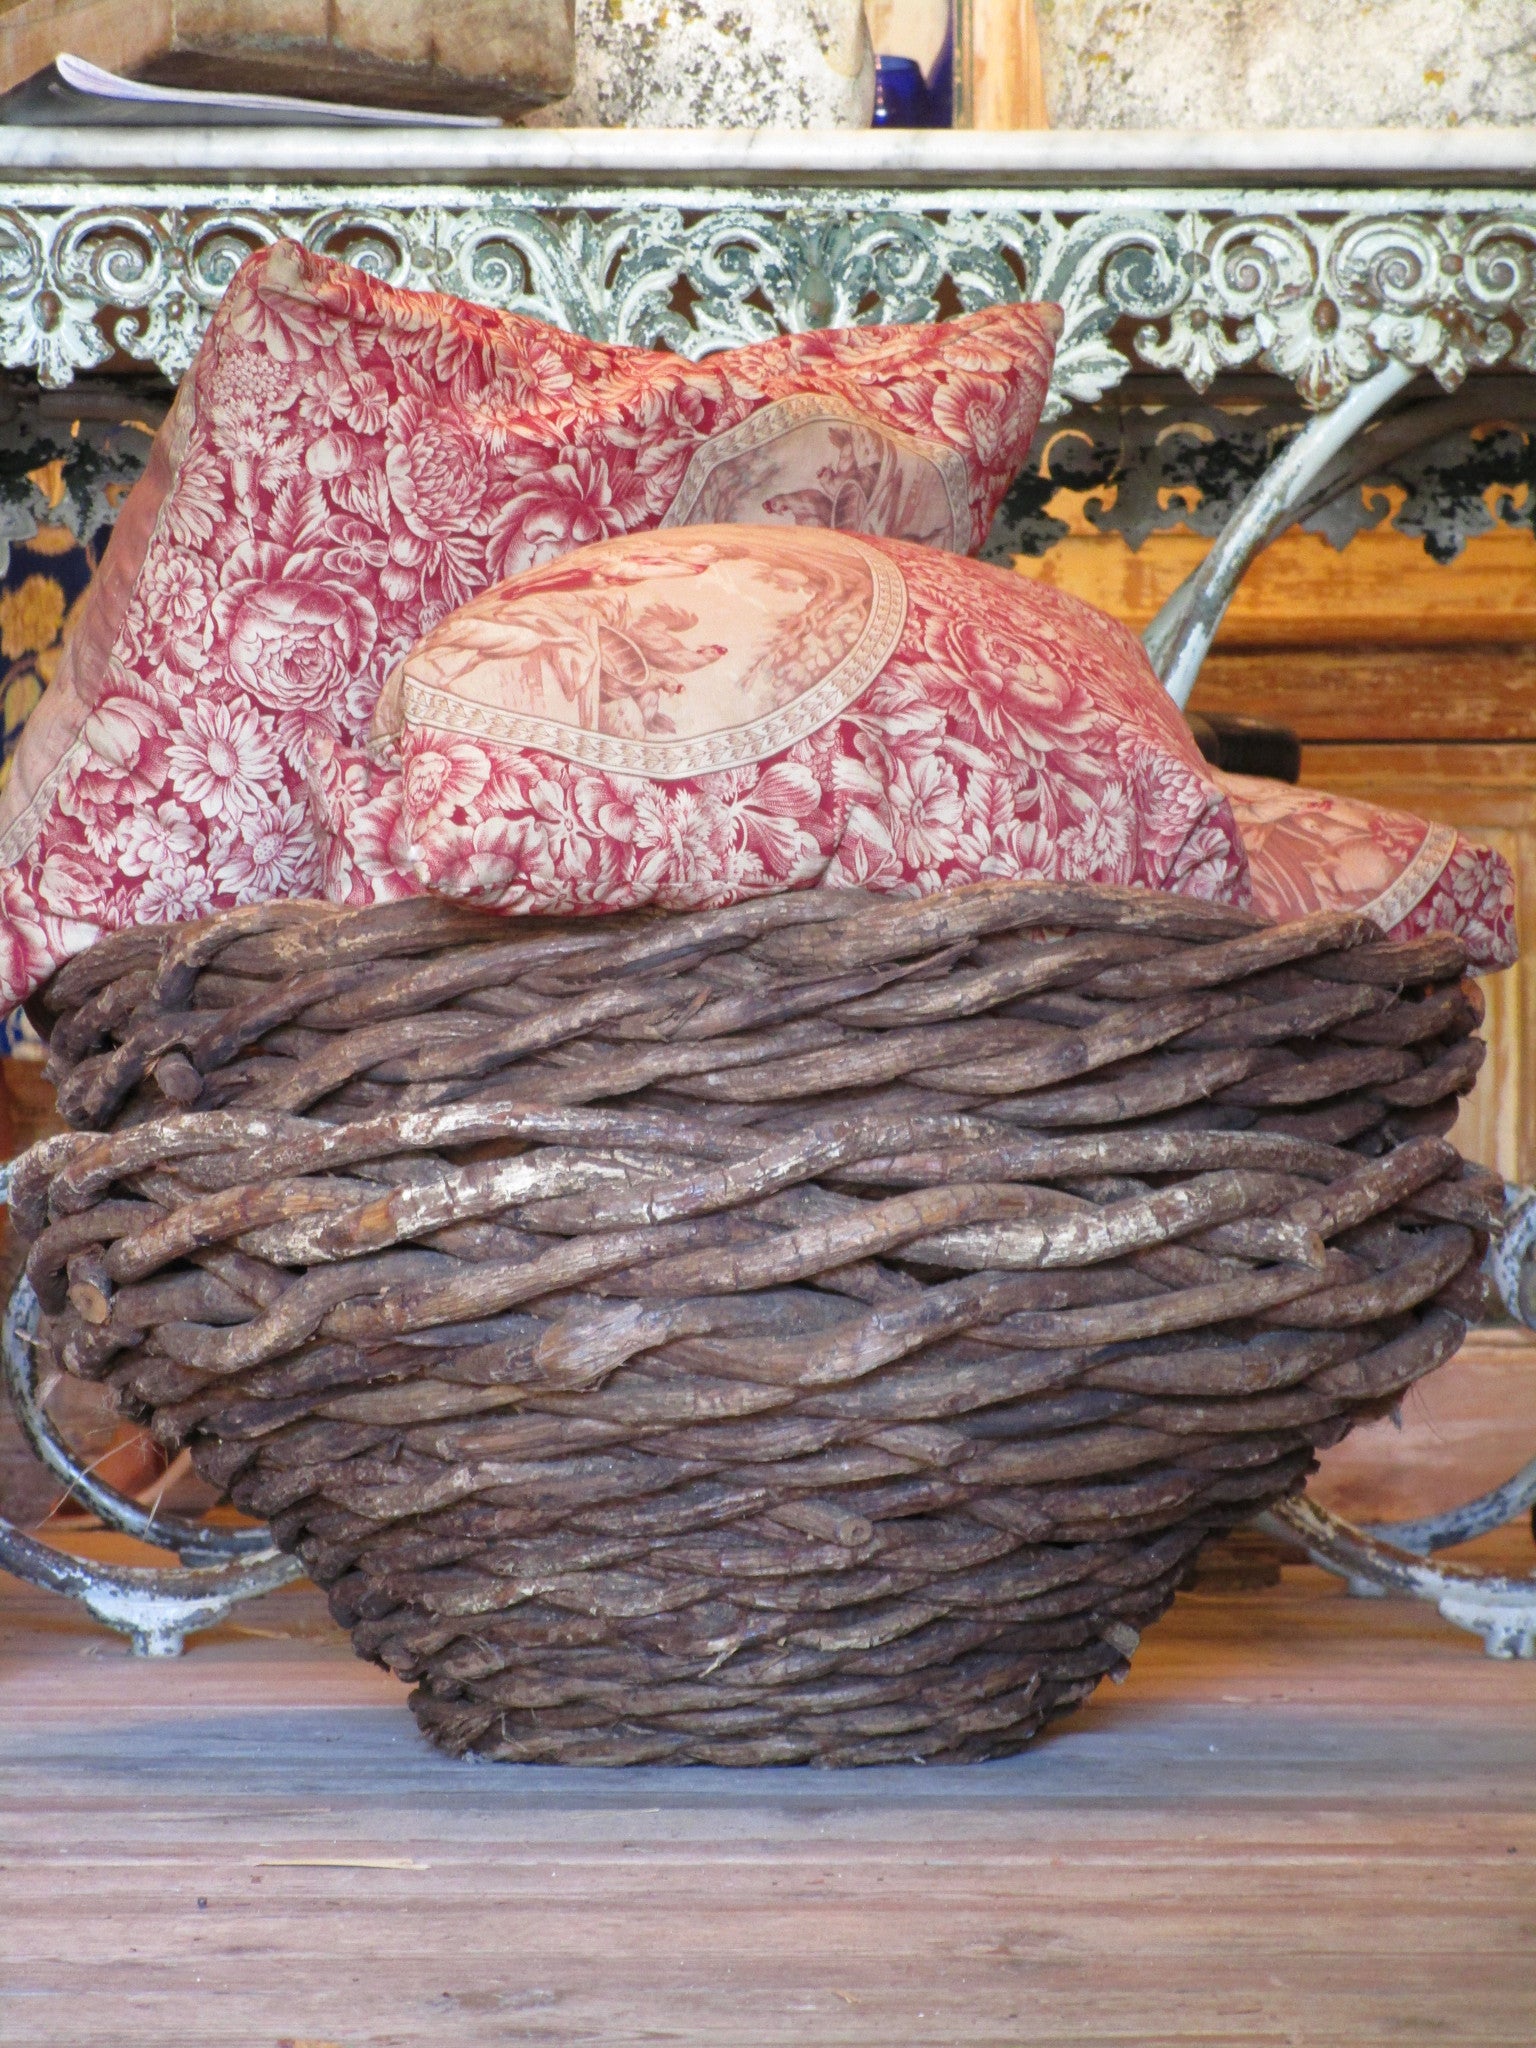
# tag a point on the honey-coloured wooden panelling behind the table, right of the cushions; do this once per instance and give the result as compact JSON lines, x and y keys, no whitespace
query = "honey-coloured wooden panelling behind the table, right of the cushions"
{"x":1410,"y":683}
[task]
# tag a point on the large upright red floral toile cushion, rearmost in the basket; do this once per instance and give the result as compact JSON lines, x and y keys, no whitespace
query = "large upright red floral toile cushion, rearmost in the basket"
{"x":345,"y":466}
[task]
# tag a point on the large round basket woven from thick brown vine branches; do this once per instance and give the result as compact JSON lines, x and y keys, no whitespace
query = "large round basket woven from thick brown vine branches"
{"x":820,"y":1330}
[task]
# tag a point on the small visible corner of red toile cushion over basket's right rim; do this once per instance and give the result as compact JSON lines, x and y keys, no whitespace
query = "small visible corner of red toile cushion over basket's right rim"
{"x":1312,"y":851}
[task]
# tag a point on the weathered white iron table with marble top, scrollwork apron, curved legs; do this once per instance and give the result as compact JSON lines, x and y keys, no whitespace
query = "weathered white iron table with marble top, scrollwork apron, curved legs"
{"x":1347,"y":265}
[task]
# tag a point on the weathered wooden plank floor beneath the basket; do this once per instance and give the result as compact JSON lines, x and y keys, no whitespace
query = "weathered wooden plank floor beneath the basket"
{"x":1304,"y":1820}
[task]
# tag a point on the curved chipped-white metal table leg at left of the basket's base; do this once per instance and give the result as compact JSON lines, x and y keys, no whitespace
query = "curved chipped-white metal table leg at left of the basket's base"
{"x":157,"y":1611}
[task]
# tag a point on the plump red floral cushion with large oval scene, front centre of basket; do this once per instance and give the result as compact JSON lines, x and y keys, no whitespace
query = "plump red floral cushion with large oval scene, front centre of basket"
{"x":697,"y":718}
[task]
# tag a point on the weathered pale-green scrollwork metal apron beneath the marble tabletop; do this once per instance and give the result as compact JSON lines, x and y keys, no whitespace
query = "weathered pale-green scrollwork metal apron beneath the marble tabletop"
{"x":1322,"y":292}
